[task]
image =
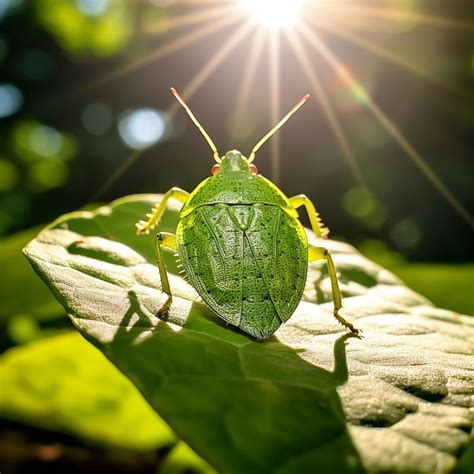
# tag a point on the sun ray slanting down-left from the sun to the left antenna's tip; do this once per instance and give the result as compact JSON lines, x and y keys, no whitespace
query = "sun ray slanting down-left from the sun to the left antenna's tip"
{"x":217,"y":58}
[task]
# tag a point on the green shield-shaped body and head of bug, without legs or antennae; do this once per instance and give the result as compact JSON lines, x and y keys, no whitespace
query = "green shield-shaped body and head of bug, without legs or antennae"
{"x":243,"y":248}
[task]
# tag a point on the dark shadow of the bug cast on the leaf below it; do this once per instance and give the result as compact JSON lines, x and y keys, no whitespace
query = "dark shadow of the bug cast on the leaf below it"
{"x":231,"y":387}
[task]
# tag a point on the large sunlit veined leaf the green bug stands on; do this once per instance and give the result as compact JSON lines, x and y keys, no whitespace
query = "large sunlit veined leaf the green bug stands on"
{"x":308,"y":398}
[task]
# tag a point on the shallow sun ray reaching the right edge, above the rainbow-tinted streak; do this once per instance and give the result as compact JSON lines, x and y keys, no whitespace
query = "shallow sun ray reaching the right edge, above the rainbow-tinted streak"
{"x":386,"y":55}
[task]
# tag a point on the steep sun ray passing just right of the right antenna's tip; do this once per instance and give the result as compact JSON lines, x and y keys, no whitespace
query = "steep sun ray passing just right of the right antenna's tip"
{"x":328,"y":110}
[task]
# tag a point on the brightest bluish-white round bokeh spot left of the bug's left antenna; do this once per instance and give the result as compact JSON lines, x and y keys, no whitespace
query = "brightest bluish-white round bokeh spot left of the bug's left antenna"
{"x":141,"y":128}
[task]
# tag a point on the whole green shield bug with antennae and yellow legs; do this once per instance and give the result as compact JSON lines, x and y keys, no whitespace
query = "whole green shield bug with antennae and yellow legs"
{"x":241,"y":243}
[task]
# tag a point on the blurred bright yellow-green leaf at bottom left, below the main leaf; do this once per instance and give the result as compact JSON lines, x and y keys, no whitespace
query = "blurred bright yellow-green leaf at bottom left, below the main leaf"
{"x":64,"y":384}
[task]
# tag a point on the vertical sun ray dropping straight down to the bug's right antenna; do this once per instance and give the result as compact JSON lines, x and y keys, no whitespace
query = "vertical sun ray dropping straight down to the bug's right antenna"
{"x":274,"y":65}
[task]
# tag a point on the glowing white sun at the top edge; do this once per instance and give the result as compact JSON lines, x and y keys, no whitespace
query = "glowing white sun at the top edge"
{"x":273,"y":14}
